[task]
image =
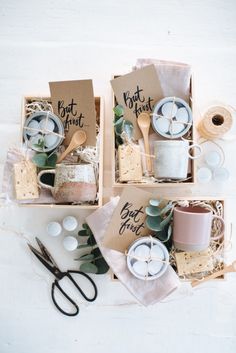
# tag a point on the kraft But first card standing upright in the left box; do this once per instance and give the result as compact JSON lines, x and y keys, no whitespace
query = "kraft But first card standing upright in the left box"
{"x":73,"y":102}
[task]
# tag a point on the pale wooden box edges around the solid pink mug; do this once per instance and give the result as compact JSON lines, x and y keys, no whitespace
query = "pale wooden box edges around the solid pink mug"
{"x":225,"y":237}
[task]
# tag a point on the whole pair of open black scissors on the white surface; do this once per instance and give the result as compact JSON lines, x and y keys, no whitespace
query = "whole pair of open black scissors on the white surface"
{"x":47,"y":260}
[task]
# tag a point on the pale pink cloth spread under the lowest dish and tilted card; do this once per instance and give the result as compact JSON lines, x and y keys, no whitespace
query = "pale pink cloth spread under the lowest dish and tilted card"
{"x":146,"y":292}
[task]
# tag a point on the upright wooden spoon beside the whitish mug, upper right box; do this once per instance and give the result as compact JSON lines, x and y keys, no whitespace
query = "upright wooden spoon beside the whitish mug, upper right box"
{"x":144,"y":123}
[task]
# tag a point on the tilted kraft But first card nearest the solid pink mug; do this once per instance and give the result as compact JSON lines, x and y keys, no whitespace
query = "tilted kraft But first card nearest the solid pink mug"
{"x":128,"y":220}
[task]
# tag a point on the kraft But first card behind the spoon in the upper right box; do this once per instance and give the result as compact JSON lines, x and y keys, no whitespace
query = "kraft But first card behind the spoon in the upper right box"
{"x":137,"y":92}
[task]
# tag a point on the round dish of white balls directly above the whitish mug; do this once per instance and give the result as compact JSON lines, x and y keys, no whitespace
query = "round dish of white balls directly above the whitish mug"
{"x":172,"y":117}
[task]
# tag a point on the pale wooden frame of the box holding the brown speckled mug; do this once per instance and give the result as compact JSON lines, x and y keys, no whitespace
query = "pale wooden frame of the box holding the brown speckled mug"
{"x":99,"y":105}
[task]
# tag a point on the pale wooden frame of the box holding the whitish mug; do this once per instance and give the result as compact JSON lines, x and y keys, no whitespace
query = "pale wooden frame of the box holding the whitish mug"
{"x":190,"y":182}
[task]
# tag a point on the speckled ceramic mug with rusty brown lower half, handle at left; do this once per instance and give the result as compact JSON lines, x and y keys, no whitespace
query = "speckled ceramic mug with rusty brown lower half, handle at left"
{"x":74,"y":183}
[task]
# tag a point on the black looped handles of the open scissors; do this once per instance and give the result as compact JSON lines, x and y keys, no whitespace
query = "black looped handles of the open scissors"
{"x":68,"y":275}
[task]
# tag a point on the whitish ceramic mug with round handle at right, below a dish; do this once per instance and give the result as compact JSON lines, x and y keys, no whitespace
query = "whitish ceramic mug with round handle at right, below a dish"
{"x":171,"y":159}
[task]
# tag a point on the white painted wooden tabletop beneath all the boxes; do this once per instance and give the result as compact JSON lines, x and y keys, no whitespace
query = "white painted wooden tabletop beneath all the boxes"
{"x":65,"y":39}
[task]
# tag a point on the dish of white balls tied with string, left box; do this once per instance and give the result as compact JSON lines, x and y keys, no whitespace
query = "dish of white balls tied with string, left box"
{"x":43,"y":125}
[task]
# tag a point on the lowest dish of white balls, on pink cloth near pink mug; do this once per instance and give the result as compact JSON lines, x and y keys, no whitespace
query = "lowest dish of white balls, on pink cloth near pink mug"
{"x":147,"y":258}
